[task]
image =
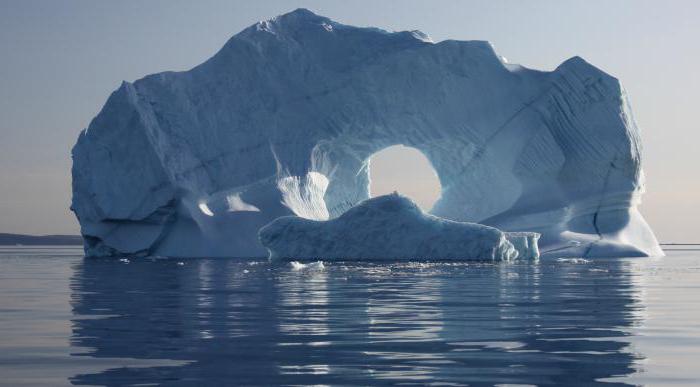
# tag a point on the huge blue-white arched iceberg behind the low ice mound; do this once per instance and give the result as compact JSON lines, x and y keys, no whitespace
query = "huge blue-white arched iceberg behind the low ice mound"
{"x":283,"y":119}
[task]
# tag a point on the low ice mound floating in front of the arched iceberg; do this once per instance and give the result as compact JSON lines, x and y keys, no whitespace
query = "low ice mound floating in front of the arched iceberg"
{"x":391,"y":227}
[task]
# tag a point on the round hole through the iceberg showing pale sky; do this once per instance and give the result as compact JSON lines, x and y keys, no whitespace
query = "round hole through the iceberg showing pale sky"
{"x":405,"y":170}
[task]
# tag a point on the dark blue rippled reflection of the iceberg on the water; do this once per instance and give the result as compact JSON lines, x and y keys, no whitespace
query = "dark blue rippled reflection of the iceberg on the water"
{"x":250,"y":322}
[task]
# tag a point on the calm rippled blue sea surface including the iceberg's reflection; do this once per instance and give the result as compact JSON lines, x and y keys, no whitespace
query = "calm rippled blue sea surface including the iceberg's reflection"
{"x":65,"y":320}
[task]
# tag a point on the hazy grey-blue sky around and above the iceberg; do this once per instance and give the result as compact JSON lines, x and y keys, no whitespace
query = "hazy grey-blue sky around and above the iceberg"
{"x":60,"y":60}
